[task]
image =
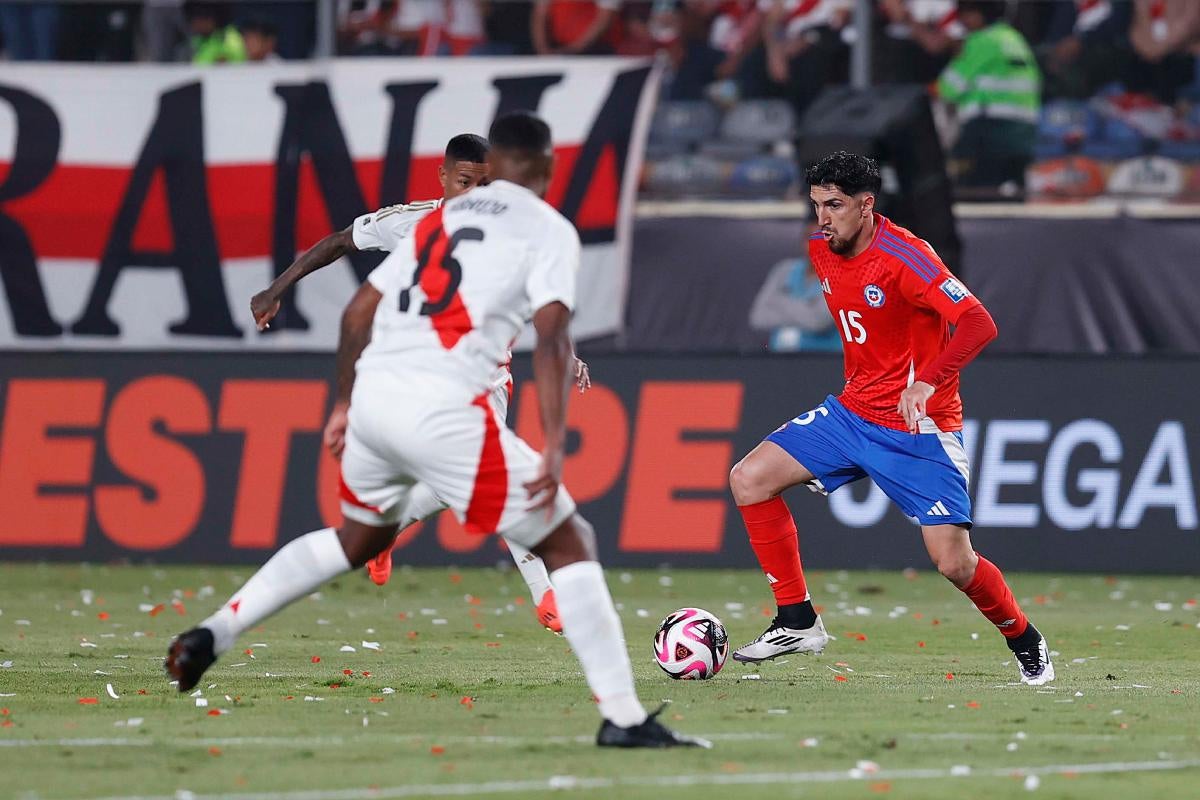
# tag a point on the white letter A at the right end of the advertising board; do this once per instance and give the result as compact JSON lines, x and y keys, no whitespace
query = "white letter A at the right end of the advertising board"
{"x":1169,"y":449}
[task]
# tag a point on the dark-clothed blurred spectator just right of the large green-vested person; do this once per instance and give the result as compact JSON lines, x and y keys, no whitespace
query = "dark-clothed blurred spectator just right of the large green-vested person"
{"x":1084,"y":47}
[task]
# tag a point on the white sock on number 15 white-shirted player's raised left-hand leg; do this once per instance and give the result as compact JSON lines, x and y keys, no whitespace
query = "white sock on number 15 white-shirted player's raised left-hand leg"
{"x":297,"y":569}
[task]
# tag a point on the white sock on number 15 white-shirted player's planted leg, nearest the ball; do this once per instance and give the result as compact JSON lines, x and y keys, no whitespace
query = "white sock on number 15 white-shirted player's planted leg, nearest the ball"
{"x":592,"y":627}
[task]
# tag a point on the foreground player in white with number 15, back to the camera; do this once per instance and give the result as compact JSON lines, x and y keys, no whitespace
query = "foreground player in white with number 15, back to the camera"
{"x":431,"y":323}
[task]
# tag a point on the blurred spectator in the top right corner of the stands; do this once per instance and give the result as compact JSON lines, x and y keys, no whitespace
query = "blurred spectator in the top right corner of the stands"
{"x":1162,"y":34}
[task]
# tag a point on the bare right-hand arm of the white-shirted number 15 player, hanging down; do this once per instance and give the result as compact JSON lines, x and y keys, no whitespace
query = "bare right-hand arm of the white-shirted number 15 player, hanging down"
{"x":551,"y":359}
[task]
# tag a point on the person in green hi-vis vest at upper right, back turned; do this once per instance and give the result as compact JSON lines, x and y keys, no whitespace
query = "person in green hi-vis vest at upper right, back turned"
{"x":997,"y":88}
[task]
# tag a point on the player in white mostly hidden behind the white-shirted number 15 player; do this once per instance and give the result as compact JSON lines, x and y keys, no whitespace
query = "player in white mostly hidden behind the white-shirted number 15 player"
{"x":464,"y":169}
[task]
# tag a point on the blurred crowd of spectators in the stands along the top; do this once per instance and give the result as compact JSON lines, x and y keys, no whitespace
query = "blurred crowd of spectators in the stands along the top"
{"x":993,"y":64}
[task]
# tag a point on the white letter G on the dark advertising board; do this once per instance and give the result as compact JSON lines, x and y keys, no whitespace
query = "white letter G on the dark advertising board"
{"x":1103,"y":484}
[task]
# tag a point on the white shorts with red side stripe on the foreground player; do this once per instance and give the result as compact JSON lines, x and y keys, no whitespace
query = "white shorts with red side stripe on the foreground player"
{"x":404,"y":432}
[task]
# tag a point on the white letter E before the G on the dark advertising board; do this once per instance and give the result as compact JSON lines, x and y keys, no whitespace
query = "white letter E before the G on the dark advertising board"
{"x":997,"y":473}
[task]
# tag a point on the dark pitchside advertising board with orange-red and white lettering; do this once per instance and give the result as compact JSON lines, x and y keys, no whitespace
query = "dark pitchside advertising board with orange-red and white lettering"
{"x":218,"y":459}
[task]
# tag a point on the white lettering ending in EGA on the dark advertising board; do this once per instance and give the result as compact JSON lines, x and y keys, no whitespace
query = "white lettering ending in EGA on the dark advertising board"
{"x":1163,"y":479}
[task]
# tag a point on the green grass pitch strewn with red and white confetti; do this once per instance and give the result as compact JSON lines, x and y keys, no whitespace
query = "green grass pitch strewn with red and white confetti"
{"x":442,"y":685}
